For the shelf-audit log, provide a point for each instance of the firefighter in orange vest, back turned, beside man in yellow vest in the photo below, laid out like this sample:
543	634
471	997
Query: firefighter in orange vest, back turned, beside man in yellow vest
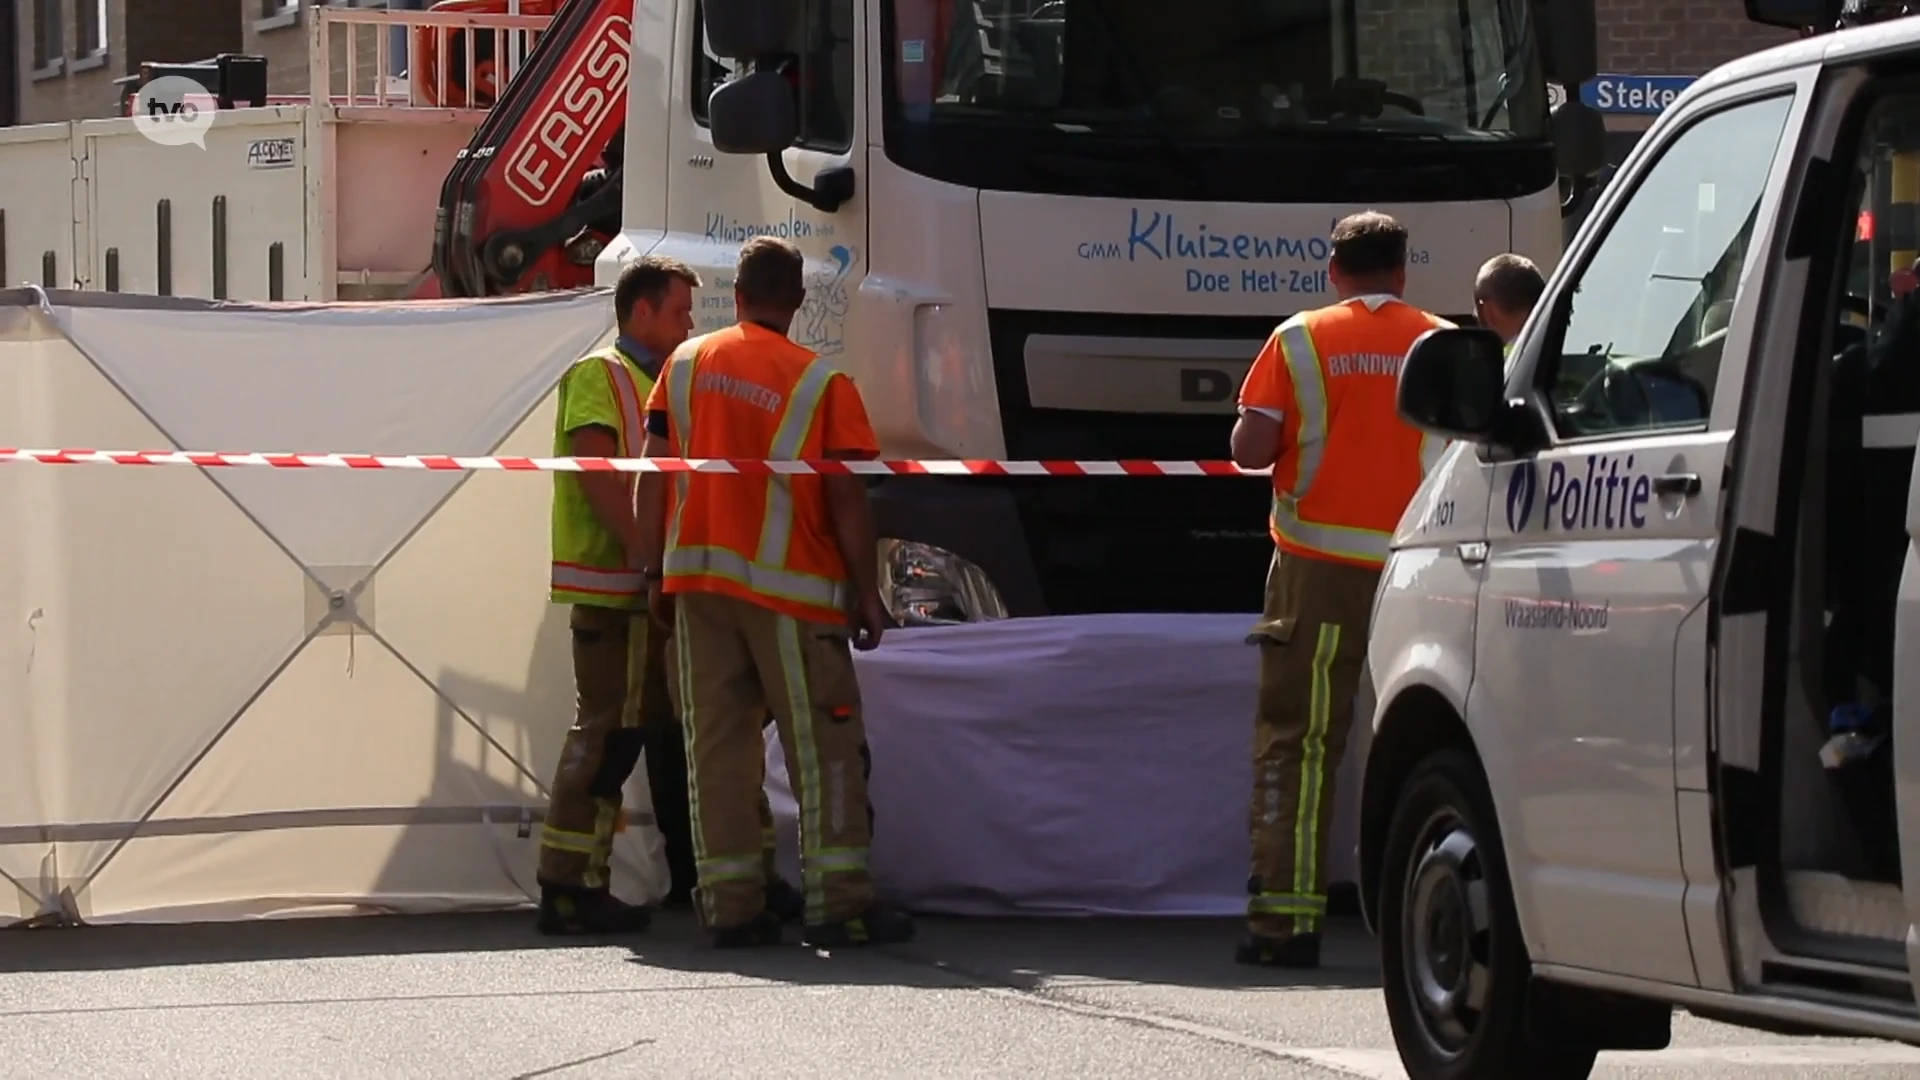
769	583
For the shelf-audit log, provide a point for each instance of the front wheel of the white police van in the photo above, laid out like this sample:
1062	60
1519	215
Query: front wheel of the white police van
1452	960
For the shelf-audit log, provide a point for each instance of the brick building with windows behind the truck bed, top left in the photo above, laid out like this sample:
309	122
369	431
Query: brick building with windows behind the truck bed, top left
66	55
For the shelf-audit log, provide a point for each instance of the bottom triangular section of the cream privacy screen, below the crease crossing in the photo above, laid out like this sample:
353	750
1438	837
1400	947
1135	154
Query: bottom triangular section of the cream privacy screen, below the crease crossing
352	747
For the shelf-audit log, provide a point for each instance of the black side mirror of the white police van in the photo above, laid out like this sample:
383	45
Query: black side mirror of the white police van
1454	385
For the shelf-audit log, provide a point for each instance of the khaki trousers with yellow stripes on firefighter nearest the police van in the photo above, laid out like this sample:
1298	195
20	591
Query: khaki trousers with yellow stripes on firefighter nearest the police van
1312	645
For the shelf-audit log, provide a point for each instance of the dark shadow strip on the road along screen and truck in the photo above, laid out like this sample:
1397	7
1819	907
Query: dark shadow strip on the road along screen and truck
1019	954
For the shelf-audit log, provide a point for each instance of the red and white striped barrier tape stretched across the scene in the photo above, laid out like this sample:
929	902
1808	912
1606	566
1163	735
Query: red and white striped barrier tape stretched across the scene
454	464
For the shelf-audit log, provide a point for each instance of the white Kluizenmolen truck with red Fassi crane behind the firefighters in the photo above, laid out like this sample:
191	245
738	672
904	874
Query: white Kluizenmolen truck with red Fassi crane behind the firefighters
1040	230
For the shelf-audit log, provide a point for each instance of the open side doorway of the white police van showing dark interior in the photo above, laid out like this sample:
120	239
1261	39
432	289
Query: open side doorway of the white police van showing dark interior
1804	637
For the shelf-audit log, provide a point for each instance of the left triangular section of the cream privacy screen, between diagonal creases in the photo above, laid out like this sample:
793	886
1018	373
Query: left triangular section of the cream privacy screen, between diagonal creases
126	564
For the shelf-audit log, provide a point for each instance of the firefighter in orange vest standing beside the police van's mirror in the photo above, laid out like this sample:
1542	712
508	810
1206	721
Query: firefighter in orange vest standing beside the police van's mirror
1318	406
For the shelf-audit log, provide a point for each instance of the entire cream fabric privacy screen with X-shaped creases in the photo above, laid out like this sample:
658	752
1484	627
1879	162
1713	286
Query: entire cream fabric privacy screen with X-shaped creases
362	716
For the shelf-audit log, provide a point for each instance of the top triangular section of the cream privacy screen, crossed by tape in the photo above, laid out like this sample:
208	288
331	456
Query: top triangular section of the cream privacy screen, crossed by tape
391	378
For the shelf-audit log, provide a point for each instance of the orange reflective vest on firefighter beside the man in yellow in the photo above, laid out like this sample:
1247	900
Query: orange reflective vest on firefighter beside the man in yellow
752	393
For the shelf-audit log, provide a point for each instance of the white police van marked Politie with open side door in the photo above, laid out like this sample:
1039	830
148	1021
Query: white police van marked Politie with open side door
1664	566
